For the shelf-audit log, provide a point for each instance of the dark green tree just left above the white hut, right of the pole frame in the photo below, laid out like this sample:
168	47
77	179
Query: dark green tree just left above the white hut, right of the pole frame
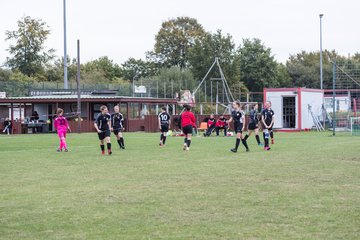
257	65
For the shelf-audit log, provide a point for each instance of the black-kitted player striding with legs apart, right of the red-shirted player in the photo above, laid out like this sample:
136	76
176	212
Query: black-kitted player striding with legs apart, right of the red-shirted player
238	116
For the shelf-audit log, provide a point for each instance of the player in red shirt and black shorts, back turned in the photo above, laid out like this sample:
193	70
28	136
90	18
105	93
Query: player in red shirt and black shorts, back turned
187	124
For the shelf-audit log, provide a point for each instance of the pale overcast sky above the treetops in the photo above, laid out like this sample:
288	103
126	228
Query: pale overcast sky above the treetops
122	29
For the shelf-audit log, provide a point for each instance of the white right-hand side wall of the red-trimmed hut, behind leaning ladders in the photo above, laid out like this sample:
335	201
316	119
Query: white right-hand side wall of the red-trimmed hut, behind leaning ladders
315	100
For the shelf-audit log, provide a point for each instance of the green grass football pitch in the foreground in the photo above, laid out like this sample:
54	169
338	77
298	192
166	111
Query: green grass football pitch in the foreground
306	187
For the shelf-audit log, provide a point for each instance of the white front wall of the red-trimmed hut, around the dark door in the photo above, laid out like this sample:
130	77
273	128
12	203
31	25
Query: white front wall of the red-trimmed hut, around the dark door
276	99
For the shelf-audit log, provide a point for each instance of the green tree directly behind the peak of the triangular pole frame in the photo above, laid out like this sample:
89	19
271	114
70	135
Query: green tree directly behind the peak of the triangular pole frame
204	52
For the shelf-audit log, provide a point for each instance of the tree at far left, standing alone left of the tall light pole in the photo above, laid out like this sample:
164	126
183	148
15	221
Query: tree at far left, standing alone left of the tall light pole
28	53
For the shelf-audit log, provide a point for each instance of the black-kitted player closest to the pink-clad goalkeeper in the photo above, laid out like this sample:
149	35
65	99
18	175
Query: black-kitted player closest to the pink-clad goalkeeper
103	125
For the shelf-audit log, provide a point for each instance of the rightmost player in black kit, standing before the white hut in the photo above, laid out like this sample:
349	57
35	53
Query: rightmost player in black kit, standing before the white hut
267	118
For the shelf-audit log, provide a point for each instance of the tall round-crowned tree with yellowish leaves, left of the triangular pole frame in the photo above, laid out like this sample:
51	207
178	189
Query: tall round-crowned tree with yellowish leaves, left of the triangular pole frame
174	40
